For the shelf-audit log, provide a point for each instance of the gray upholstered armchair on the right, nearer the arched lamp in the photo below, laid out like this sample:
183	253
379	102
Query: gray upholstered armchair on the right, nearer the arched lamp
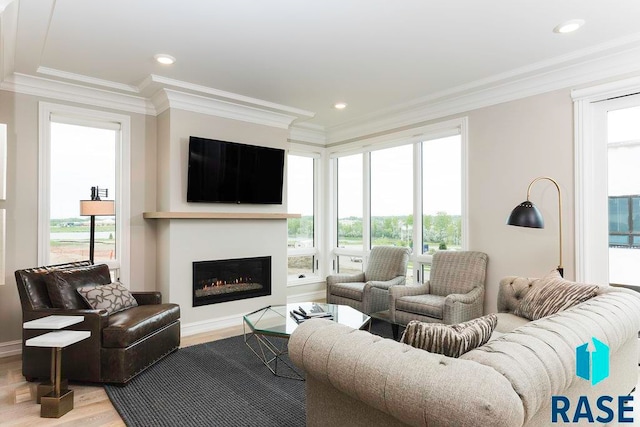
453	294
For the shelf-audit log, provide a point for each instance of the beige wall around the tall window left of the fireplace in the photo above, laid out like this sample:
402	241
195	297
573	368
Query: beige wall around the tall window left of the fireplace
20	113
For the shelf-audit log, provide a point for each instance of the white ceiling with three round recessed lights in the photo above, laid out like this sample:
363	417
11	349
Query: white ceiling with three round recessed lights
375	55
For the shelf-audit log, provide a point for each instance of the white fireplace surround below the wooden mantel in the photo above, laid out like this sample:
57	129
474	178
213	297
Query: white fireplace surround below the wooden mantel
183	241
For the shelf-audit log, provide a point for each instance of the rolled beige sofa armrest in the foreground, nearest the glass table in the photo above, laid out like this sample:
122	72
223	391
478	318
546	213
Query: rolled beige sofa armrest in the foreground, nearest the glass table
411	385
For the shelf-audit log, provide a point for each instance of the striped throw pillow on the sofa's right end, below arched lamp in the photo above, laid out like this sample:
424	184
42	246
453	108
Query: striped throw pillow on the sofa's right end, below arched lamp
552	294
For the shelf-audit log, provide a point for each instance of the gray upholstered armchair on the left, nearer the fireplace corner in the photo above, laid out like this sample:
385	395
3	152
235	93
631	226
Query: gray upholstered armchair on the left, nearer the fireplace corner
368	291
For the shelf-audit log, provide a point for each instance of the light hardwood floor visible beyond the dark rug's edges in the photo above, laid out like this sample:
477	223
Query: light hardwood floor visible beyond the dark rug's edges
91	407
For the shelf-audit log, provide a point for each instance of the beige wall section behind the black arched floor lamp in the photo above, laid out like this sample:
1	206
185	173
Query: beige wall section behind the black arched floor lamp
510	144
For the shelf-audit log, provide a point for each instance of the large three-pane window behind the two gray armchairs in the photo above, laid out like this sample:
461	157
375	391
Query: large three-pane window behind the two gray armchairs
382	190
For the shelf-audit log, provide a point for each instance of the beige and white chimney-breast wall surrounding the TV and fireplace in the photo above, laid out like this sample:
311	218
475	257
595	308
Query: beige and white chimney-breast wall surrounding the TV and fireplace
181	242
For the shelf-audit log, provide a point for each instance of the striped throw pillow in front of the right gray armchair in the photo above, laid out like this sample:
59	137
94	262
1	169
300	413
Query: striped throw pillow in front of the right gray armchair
450	340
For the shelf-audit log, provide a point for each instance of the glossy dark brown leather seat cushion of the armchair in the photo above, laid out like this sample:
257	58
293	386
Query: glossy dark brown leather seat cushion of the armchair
130	325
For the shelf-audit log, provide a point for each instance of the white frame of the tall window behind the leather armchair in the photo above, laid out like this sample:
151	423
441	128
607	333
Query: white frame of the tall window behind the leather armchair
48	113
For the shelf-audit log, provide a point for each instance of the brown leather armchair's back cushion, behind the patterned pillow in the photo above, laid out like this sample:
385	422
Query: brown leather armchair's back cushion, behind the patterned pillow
62	285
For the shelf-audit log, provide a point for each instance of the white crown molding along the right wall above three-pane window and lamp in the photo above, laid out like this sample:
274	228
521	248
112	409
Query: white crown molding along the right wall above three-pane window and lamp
598	63
